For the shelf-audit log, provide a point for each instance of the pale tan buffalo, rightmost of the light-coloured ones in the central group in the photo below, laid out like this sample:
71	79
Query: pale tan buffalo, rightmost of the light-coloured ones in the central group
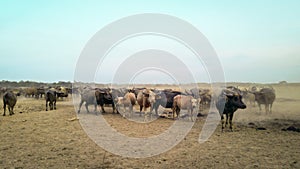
184	102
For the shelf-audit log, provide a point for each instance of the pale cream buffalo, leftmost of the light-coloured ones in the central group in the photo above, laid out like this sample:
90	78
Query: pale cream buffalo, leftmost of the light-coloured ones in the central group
127	101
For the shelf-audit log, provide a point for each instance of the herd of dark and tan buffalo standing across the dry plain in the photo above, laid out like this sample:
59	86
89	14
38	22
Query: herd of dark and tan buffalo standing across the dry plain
227	100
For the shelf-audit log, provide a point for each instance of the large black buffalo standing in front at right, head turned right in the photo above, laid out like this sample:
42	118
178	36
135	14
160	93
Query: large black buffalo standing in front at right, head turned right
228	102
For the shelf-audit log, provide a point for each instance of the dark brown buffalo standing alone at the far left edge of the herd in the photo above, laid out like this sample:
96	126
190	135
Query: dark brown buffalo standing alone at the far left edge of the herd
9	99
